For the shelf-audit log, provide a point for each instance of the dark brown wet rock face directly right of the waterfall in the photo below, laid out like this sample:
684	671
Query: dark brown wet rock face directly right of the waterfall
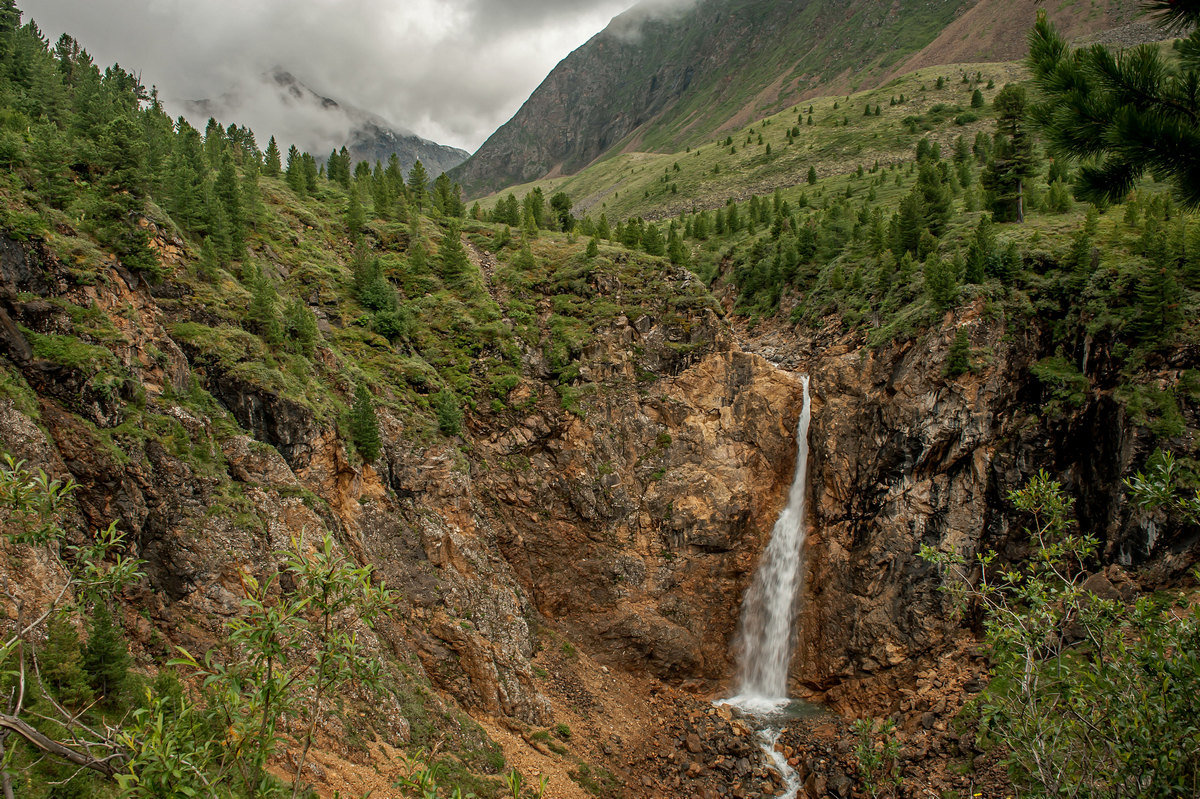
903	456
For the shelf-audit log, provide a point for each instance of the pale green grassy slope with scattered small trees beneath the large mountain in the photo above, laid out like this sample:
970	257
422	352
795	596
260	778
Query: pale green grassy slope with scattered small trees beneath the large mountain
841	139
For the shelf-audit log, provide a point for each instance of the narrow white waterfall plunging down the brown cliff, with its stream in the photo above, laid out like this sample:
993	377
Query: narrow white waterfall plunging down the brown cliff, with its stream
767	630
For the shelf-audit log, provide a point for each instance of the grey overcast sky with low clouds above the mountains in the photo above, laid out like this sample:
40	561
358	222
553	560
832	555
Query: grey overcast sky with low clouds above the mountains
449	70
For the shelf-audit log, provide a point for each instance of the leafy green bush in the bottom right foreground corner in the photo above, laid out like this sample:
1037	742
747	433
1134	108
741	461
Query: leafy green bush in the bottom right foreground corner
1090	696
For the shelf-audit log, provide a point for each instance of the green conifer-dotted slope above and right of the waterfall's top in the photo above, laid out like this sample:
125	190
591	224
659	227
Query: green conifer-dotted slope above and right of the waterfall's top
879	219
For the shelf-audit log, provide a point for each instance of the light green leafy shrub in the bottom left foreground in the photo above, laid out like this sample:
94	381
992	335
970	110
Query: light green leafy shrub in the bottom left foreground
293	654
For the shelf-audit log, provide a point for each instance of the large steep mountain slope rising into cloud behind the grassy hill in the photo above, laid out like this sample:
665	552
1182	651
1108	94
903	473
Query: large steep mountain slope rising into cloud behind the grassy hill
661	81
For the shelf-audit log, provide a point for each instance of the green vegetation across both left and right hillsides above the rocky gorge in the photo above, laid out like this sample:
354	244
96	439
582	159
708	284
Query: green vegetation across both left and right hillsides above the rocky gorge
349	290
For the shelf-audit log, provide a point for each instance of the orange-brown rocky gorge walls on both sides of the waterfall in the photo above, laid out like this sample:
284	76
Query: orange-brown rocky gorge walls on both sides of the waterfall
559	564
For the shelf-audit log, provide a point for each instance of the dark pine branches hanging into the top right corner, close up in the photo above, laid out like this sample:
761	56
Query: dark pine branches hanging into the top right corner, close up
1124	113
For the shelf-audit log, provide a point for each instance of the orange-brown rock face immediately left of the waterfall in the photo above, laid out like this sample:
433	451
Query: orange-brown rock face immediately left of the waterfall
638	526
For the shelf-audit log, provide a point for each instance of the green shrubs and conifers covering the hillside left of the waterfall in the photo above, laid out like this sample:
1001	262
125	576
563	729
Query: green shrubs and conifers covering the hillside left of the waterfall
340	290
